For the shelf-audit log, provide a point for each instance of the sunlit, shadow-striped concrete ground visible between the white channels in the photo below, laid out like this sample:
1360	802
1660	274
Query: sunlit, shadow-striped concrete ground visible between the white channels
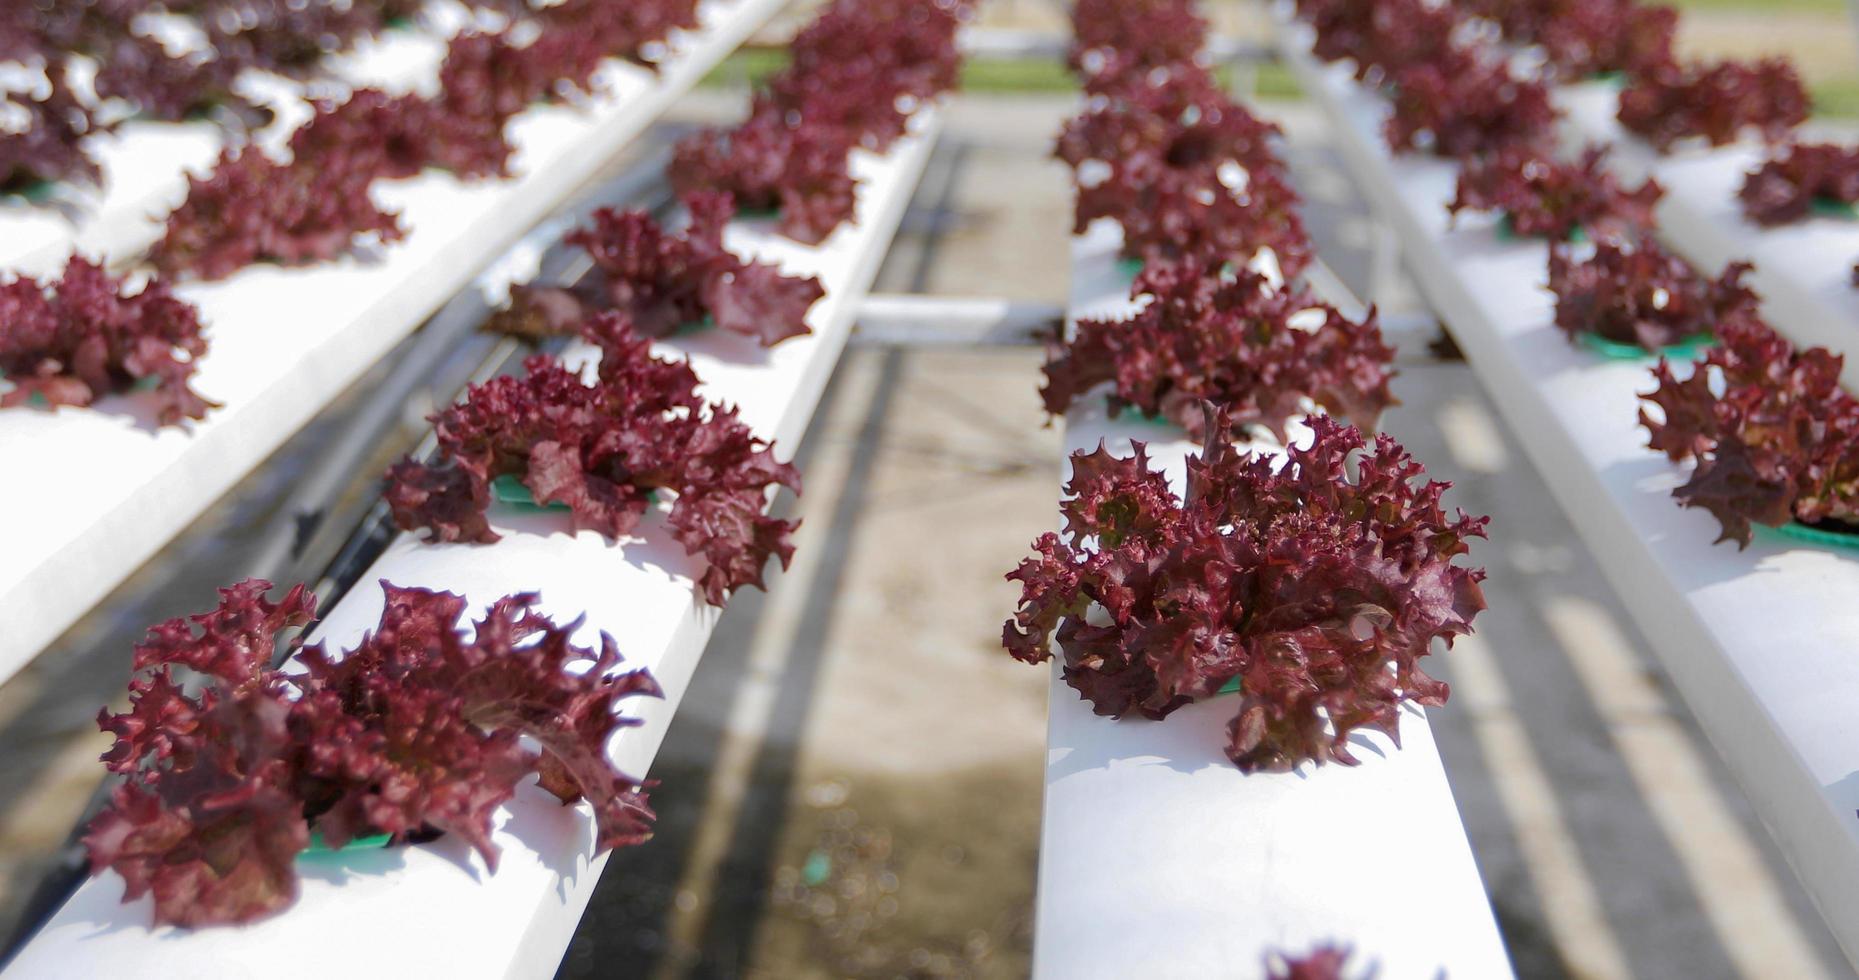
854	784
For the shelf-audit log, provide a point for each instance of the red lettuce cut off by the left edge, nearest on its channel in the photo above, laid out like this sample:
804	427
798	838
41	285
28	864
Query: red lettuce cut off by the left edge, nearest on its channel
86	336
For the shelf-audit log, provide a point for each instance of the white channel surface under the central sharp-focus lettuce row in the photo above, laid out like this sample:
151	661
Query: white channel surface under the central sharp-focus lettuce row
1159	858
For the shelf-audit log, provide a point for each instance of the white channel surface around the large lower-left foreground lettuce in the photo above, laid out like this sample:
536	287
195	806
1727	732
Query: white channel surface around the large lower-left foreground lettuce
434	910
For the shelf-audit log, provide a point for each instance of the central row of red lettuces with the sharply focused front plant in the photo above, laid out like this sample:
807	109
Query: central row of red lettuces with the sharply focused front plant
1308	574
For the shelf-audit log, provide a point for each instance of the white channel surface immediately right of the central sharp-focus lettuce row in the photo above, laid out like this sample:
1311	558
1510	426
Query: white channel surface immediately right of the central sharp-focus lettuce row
1760	642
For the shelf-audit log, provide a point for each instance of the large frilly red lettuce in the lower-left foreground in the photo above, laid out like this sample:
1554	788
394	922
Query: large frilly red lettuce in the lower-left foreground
415	732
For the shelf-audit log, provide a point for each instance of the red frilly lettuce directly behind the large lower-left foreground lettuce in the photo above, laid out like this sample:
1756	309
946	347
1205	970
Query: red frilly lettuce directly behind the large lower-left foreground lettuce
601	449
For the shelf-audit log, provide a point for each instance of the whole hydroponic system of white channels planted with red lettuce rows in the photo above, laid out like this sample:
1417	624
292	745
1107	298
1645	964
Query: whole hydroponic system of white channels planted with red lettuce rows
218	224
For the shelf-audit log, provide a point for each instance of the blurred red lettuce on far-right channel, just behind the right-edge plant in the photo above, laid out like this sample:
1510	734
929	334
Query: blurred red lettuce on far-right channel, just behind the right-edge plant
1715	103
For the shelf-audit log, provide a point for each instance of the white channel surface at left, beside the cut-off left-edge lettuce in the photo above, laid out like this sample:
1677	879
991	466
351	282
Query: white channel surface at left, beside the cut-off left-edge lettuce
94	494
